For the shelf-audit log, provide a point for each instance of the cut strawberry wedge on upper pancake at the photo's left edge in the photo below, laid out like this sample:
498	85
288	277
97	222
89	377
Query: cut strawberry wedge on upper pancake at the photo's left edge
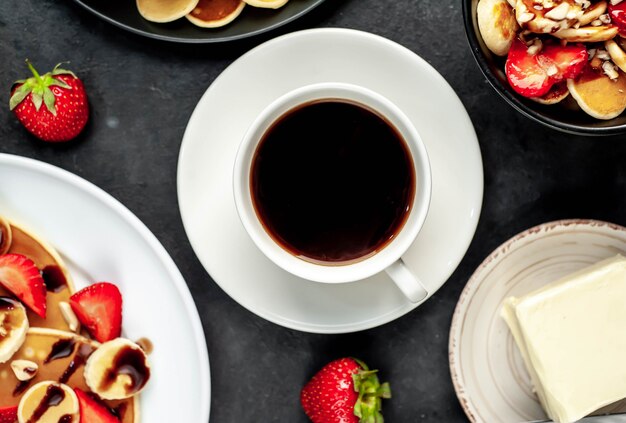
22	278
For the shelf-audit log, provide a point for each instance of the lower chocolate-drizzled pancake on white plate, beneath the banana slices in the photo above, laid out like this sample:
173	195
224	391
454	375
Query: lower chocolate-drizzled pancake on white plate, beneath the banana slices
60	357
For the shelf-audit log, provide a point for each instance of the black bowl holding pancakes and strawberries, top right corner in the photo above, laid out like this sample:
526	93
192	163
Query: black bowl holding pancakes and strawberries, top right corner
565	116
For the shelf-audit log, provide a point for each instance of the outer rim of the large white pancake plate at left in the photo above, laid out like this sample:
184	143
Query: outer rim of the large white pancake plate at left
174	274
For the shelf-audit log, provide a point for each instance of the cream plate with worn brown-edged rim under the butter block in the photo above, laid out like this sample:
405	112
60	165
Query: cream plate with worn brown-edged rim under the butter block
488	373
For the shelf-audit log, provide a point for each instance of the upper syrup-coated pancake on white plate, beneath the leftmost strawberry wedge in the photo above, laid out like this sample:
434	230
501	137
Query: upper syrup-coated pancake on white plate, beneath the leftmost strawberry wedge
58	280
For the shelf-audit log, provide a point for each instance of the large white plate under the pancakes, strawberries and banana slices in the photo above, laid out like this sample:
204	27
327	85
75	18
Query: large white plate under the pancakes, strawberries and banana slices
101	240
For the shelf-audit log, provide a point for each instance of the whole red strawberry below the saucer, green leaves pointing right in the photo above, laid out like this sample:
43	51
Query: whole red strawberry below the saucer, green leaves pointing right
344	391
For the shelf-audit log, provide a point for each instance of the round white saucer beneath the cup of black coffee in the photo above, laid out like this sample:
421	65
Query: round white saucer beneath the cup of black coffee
239	94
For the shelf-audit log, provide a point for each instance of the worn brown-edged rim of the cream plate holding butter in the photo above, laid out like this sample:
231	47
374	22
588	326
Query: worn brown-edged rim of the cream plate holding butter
474	282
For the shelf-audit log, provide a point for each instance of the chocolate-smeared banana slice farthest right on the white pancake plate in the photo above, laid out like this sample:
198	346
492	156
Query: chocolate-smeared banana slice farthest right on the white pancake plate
118	369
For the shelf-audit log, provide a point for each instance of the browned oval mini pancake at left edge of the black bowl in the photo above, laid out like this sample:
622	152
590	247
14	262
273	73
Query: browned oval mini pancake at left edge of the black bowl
497	25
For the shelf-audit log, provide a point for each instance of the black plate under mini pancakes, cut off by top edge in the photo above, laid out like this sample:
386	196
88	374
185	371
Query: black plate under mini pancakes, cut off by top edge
252	21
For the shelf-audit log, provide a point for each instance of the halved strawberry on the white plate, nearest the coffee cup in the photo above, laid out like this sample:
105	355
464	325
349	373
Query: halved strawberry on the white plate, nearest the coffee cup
99	309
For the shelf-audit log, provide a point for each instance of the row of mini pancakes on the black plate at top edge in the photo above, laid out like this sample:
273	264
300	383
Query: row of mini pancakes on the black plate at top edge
204	13
